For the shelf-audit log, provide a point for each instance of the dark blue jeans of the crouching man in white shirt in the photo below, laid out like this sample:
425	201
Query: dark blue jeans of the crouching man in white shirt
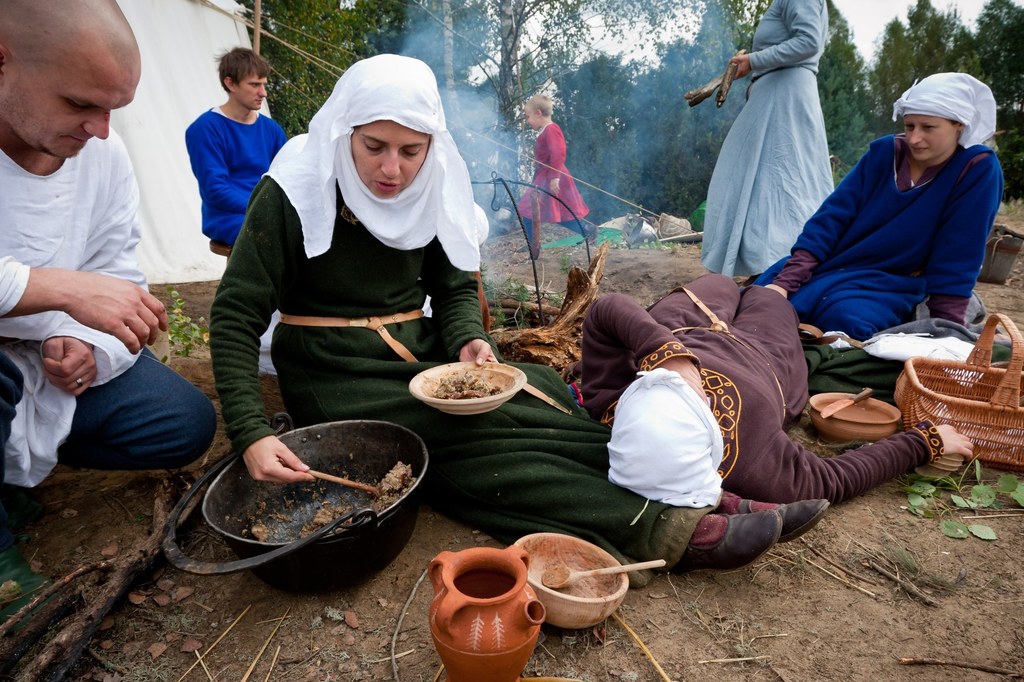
148	418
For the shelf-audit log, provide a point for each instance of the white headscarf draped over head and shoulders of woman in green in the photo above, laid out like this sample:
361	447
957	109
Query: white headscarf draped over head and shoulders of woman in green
439	202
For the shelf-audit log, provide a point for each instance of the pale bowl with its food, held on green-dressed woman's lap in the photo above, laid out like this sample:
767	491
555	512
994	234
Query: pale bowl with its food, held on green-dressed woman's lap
467	389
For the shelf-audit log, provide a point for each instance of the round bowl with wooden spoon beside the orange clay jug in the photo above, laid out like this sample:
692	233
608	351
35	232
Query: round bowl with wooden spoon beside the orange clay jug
589	601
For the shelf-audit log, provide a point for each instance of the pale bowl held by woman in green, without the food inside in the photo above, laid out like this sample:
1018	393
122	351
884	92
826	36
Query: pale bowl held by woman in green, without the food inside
509	379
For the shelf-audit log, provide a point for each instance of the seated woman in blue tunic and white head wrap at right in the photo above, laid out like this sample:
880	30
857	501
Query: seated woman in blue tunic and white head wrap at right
909	224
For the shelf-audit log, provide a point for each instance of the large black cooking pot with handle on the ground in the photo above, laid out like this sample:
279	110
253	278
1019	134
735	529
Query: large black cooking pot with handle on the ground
349	550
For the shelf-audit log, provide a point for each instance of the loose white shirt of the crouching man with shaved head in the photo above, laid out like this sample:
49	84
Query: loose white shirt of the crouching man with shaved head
82	218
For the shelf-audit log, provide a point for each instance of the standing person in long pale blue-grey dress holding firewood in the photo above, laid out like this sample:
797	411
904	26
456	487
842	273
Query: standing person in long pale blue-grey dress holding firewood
774	170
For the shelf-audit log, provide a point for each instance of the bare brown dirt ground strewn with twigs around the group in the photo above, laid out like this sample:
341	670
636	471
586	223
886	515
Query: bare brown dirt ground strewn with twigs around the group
813	610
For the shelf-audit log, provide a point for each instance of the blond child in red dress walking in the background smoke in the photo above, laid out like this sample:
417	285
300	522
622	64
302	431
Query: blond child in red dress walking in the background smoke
551	175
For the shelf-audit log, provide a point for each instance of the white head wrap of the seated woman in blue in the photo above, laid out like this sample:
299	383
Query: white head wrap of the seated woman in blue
960	98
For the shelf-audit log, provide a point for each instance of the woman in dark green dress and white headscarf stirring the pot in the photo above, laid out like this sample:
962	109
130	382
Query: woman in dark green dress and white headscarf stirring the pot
374	215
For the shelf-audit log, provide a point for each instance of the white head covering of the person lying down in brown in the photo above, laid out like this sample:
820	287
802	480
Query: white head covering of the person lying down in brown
666	444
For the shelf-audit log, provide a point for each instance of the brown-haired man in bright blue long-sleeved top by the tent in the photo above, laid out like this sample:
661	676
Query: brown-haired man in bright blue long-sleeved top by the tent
232	146
